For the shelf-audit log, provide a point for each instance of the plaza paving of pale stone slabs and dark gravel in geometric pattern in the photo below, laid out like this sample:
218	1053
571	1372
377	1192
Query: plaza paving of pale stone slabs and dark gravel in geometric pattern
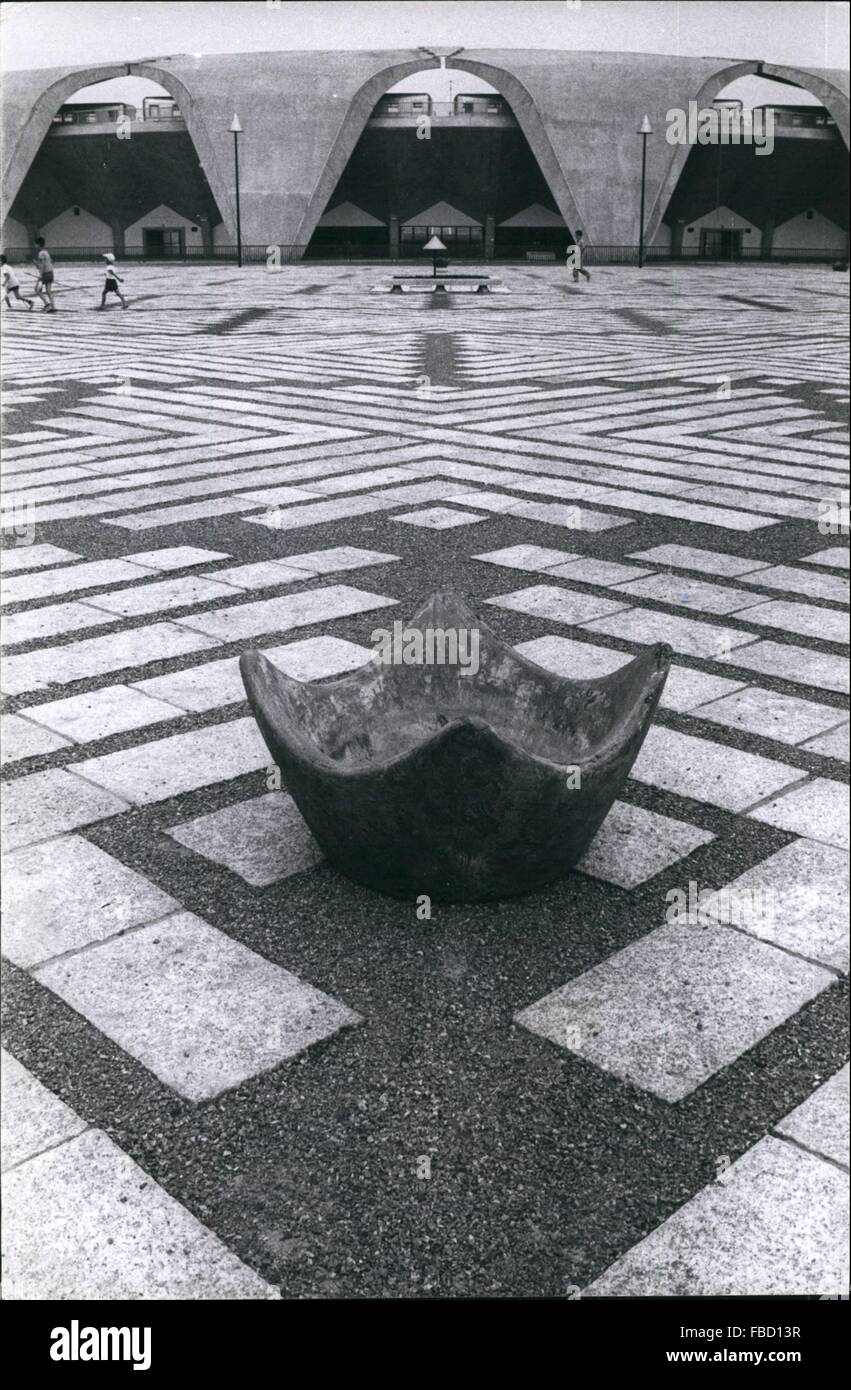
232	1072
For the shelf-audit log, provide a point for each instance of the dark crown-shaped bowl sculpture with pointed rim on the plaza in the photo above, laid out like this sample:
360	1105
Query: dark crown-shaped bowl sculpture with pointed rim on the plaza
450	765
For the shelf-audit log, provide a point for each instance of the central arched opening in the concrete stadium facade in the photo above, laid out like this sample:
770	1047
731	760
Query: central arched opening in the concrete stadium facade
441	155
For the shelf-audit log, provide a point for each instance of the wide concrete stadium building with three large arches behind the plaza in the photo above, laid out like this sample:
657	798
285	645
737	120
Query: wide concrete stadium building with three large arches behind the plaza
329	161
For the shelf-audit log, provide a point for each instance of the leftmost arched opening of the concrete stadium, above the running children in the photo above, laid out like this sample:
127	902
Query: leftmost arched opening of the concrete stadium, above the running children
117	170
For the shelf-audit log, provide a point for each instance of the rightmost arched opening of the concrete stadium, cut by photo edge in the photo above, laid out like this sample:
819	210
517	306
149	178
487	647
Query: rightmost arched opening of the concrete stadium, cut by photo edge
770	184
